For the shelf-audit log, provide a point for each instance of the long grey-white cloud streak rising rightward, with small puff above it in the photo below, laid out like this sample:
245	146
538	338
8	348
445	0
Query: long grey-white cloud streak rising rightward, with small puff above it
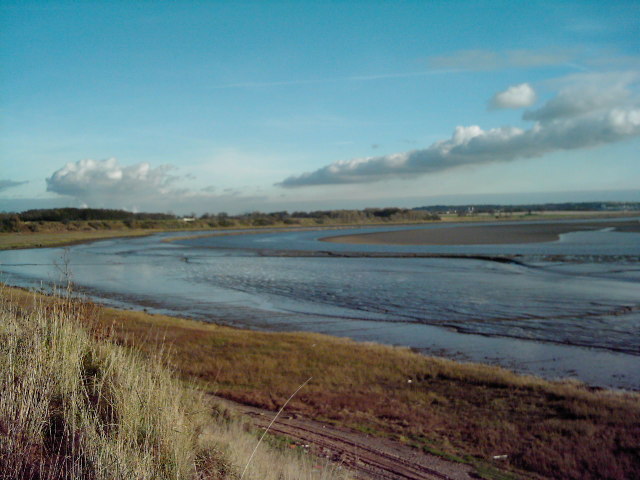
578	117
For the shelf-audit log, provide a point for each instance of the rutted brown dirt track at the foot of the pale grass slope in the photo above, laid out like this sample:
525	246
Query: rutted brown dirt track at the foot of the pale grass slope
367	456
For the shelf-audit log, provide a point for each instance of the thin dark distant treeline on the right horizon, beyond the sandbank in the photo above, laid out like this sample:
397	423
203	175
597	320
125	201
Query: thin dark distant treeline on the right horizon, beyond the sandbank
534	207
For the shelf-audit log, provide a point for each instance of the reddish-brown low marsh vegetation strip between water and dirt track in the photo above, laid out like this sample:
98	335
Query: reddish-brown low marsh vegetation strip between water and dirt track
465	411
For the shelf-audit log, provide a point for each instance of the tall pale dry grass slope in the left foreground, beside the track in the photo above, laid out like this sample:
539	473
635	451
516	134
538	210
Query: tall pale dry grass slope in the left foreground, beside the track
73	405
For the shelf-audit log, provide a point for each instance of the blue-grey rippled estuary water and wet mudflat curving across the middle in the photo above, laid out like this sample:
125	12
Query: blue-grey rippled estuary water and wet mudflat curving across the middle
579	317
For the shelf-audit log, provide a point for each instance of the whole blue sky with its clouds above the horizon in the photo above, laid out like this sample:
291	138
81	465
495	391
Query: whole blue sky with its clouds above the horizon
241	106
